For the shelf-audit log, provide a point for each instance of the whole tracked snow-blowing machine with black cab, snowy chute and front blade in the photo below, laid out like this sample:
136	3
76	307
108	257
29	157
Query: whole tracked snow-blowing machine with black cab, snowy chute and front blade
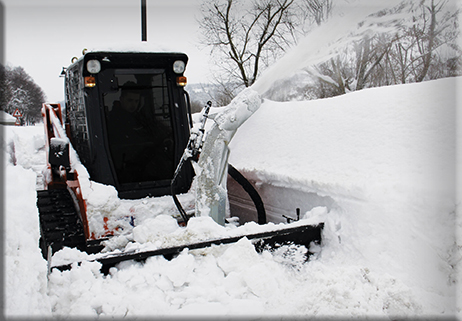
127	123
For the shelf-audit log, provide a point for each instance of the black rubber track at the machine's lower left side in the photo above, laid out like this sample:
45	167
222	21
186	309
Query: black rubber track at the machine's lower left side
60	223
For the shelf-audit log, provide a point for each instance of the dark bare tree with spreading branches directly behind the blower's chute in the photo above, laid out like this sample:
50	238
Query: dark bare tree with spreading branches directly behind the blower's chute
249	36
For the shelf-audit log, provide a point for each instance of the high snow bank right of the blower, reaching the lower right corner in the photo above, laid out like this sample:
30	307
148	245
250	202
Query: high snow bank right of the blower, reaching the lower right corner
387	156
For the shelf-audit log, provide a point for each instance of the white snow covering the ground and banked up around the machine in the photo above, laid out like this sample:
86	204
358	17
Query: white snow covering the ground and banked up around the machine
386	156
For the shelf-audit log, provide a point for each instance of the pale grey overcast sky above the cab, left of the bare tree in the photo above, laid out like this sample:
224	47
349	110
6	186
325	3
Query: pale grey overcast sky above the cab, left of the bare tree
43	35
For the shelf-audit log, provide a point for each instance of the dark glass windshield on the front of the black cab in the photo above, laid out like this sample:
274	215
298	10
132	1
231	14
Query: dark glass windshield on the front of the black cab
139	127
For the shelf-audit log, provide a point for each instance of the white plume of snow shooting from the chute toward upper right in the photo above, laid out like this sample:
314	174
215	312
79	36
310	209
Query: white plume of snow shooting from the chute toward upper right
350	20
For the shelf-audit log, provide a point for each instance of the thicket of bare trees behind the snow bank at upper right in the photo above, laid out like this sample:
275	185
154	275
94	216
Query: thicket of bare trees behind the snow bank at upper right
422	46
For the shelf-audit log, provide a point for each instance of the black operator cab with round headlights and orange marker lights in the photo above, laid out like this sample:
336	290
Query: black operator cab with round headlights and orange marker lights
128	118
